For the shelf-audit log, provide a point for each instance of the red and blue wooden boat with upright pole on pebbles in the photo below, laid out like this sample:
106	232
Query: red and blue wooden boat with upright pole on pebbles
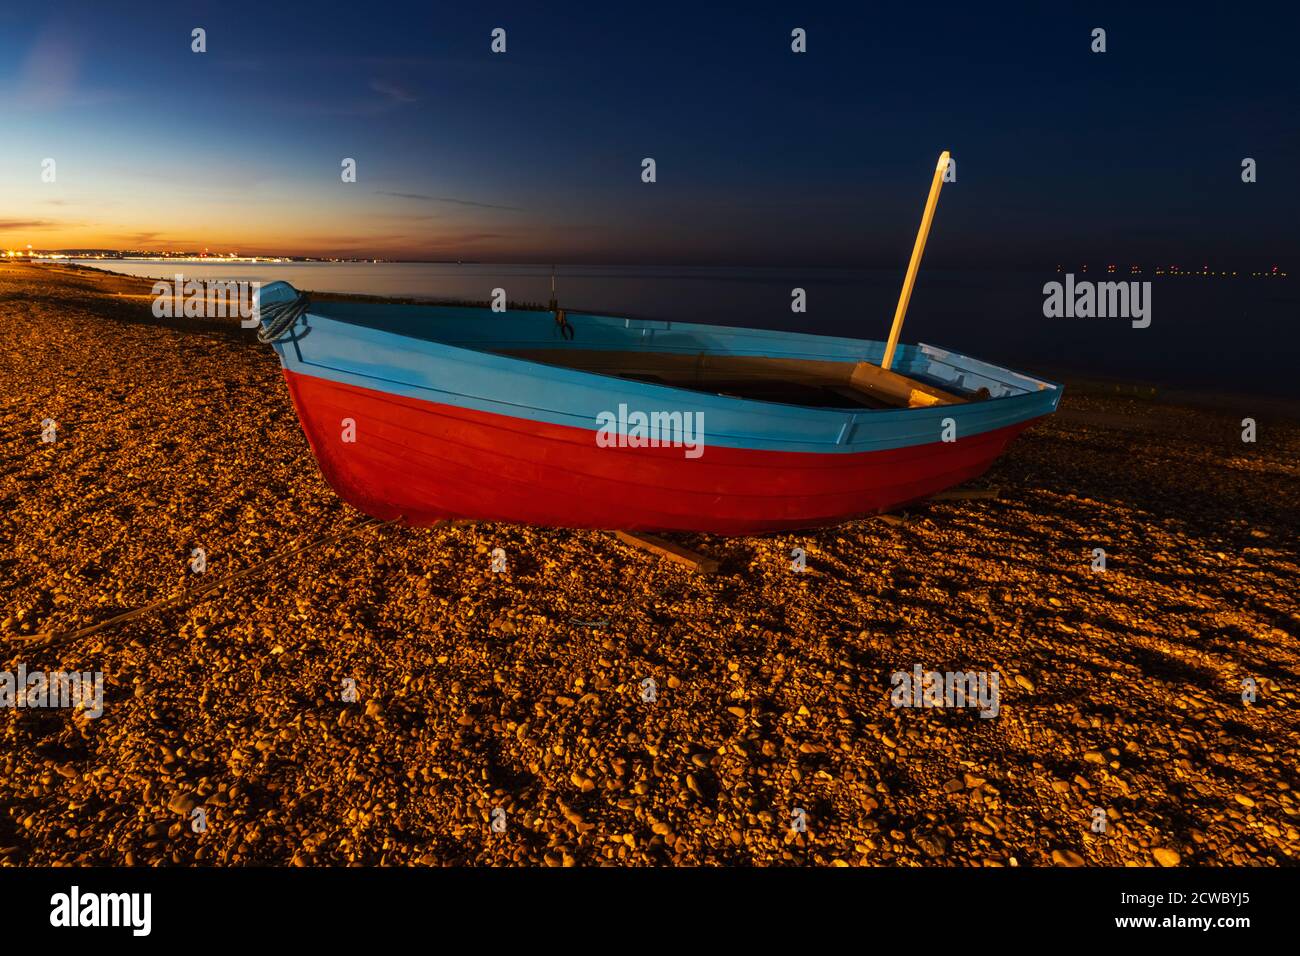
423	414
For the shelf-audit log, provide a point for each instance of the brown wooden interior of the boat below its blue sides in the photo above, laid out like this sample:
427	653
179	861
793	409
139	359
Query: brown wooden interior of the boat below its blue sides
820	384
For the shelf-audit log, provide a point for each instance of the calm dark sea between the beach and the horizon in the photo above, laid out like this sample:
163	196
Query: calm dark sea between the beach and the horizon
1234	335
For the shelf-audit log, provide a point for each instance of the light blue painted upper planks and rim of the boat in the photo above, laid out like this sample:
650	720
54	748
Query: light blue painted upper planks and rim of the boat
447	356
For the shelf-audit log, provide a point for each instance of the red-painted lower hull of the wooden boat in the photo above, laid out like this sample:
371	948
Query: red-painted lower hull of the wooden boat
424	462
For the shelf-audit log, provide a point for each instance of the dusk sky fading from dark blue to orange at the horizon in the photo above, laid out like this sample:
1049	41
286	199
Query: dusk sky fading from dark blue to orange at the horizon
764	157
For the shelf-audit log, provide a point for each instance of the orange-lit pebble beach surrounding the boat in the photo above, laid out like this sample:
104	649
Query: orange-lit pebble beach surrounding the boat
378	695
